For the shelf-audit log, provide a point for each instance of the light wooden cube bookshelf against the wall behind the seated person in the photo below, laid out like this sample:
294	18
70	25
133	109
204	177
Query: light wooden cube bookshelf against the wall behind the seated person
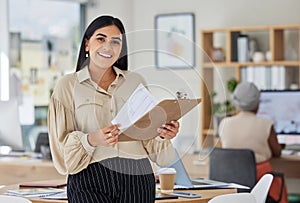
282	41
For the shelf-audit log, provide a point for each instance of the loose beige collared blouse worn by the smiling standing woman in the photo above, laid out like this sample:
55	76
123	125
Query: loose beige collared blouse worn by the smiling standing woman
79	106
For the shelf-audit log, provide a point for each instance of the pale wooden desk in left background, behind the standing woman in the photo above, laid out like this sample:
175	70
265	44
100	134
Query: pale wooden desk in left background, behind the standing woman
16	170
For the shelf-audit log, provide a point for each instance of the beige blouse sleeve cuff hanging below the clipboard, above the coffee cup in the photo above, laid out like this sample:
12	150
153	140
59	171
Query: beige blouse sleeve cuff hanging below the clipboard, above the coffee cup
161	151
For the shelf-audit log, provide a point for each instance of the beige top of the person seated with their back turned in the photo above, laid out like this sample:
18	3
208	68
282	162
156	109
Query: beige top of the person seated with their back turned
246	130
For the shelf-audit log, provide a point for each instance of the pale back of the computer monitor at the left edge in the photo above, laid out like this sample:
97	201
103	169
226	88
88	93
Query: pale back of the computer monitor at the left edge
10	128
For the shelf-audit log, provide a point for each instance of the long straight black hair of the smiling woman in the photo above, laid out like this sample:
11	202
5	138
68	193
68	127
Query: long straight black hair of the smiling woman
99	22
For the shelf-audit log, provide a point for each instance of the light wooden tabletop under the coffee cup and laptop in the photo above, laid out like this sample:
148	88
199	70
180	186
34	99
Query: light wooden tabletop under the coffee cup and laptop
206	194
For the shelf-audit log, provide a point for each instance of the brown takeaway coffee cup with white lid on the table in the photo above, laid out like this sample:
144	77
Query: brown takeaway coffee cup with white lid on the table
166	179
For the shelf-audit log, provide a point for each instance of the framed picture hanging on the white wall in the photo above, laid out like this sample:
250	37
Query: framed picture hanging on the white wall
175	40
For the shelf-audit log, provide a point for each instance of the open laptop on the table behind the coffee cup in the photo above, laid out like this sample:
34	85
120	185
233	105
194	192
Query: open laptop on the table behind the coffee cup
183	181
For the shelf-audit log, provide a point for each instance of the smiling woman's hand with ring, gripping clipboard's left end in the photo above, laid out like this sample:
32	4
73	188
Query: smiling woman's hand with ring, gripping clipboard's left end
107	136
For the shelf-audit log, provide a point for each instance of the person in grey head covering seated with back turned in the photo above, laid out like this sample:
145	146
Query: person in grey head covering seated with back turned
246	130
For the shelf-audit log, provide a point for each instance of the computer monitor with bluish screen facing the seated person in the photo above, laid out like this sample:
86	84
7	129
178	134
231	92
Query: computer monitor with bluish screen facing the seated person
283	107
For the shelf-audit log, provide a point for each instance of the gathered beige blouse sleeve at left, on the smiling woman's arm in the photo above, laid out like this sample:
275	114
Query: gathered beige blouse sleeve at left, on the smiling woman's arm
70	149
